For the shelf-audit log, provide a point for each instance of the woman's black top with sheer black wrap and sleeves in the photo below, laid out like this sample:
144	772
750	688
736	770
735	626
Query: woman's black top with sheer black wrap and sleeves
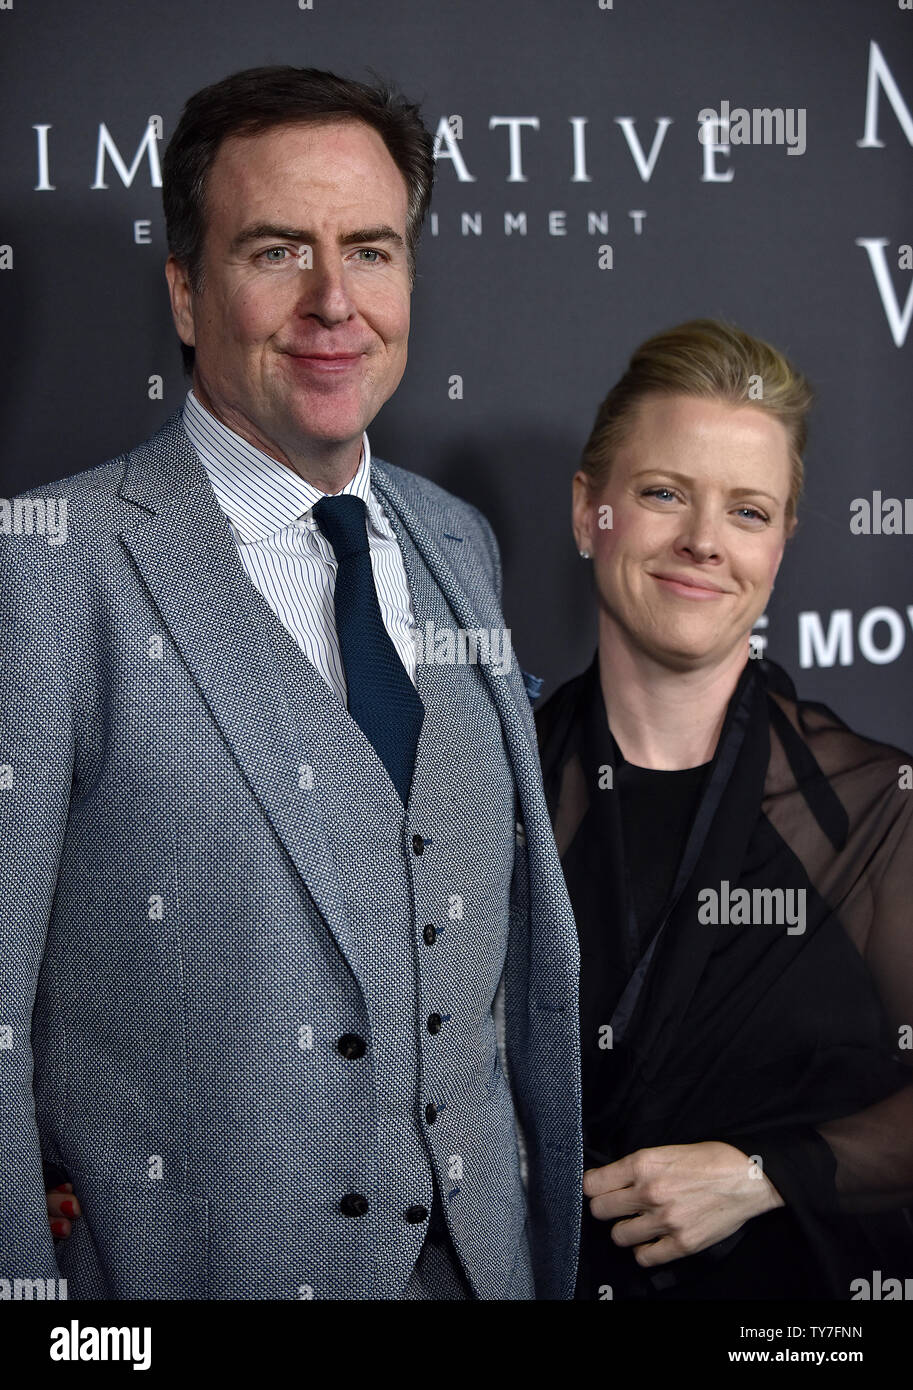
757	989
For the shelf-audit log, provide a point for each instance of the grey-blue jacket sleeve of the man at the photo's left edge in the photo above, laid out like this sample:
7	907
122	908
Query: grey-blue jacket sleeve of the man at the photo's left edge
35	783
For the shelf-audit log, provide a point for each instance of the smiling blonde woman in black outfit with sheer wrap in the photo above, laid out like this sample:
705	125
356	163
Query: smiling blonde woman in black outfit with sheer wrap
740	865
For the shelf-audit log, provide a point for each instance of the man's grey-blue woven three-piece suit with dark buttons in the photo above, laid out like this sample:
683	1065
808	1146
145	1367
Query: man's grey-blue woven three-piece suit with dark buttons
224	938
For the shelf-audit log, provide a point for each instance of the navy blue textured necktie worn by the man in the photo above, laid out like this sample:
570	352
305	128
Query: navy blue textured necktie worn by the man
383	700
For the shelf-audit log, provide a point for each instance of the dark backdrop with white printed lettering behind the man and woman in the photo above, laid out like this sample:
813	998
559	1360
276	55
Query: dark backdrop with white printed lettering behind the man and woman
605	170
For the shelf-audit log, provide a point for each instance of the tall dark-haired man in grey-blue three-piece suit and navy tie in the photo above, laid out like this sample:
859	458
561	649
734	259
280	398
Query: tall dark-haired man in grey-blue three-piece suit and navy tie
269	857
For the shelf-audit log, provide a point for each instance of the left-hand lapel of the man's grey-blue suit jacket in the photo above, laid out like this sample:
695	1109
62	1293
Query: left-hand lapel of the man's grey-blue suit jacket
187	557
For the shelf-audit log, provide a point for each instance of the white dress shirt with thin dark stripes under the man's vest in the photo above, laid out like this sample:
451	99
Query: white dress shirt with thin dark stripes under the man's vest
284	551
